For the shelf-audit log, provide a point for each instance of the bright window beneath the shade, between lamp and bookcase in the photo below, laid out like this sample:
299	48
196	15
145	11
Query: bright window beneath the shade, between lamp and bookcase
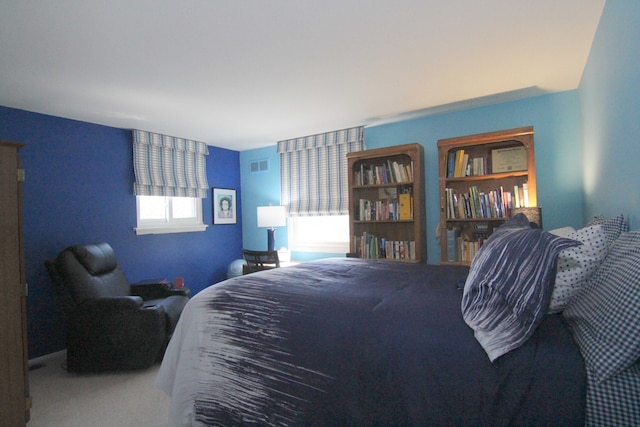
328	234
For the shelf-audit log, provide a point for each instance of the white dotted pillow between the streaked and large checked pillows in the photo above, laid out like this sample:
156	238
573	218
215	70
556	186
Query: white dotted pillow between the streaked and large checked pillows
577	264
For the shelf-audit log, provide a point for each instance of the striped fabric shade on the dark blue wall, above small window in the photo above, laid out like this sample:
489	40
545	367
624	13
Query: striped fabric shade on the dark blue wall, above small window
169	166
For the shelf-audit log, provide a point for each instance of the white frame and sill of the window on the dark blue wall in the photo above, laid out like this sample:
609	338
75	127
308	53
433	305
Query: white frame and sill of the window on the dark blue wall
169	224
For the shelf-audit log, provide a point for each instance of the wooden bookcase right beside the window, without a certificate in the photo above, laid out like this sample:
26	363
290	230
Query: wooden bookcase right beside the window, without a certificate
386	203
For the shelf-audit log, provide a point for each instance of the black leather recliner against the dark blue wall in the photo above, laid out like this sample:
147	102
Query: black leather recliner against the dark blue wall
110	324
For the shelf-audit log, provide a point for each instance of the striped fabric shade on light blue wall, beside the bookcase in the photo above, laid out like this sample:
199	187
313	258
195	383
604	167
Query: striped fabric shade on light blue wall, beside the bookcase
313	172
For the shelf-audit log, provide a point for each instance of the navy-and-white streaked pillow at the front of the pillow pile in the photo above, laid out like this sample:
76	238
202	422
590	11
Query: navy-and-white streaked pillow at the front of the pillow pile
507	292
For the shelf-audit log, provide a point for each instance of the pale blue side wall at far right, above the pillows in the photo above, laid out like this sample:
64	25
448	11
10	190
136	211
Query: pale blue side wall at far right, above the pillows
610	105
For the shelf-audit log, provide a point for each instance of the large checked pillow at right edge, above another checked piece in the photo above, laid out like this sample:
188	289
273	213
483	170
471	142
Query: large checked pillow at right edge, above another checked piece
604	315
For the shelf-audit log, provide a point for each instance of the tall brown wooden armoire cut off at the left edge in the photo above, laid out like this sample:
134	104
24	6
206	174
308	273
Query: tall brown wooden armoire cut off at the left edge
15	403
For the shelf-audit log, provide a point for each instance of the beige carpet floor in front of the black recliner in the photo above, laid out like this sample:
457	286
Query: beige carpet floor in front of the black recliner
61	399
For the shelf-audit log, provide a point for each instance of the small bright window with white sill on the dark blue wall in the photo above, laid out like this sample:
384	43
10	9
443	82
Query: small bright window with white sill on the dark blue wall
160	214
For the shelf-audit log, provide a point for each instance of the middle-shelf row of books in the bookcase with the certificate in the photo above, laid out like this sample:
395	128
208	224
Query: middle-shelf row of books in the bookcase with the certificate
475	203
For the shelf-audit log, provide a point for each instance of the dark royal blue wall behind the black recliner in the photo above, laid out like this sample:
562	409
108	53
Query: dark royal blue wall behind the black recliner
79	189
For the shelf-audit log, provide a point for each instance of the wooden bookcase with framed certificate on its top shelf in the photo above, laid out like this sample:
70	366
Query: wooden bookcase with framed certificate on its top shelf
482	177
